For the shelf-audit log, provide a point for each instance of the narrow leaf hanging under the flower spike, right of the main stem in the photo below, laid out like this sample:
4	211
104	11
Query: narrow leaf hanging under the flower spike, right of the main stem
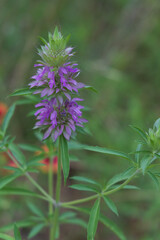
64	157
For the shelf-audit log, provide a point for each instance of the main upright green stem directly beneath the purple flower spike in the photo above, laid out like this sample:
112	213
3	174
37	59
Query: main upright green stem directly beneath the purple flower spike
58	190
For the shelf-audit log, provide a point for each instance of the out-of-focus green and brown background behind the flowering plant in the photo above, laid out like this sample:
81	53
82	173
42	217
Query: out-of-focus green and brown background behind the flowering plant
117	48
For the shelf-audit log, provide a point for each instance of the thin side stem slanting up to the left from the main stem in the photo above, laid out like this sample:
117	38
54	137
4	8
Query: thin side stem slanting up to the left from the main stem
50	199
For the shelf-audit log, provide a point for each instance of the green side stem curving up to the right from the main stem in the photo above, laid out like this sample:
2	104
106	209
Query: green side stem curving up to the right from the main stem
79	201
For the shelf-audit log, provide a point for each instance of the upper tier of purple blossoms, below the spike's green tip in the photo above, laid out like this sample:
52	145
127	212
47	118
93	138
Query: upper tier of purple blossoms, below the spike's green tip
49	81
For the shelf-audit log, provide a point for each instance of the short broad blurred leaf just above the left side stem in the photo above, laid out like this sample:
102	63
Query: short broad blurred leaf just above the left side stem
19	156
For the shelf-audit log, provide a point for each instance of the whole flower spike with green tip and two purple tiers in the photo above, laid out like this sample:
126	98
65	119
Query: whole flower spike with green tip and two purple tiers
54	80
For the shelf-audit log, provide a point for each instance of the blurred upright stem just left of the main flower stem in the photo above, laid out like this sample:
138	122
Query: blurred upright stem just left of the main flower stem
50	189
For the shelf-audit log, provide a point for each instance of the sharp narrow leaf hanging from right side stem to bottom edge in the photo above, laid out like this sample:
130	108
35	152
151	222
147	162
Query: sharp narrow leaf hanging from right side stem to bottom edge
93	220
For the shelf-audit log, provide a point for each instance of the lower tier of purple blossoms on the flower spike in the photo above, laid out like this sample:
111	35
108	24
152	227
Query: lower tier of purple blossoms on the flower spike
59	117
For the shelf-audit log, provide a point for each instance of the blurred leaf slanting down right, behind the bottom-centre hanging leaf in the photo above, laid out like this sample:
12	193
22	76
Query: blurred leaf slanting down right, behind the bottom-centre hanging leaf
107	222
